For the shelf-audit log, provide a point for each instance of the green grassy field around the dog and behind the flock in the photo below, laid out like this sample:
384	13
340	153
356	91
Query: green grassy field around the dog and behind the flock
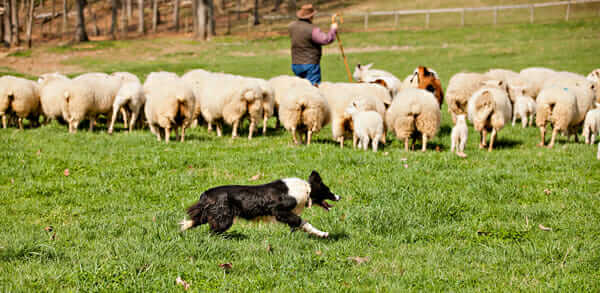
423	221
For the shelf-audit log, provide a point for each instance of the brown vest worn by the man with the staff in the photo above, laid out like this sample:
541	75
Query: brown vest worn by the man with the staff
304	50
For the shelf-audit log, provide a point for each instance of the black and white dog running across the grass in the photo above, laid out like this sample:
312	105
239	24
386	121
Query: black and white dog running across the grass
283	199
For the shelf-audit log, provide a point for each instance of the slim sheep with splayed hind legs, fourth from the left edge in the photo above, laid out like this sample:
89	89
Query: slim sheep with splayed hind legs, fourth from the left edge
130	96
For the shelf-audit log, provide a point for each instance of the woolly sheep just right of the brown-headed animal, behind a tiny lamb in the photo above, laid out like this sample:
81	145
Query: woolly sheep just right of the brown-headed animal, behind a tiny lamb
460	89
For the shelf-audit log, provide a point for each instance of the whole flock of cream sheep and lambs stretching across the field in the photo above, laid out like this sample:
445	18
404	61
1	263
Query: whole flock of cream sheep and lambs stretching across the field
365	111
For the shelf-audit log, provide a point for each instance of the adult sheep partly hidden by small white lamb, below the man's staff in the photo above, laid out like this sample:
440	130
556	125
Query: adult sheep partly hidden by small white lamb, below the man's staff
340	95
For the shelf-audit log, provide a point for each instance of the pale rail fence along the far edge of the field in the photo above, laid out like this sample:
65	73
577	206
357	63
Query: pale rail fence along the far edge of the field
427	12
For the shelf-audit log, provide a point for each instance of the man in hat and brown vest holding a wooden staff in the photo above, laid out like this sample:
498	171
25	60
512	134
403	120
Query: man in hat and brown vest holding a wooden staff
307	40
